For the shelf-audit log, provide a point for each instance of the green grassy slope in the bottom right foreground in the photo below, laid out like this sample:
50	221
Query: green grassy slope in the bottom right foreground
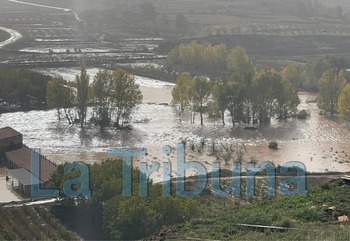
311	218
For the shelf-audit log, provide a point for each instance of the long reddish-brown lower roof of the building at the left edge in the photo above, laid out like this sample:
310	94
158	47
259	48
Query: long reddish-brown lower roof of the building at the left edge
22	157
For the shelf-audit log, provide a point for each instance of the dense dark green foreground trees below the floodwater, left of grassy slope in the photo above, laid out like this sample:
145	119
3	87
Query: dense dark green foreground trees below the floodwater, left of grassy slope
125	218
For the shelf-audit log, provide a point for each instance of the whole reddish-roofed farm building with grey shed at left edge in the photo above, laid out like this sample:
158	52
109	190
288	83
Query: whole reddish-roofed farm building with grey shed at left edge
19	157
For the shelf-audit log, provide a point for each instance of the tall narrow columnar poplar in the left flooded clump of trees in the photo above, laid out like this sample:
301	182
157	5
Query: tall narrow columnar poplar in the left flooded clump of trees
82	83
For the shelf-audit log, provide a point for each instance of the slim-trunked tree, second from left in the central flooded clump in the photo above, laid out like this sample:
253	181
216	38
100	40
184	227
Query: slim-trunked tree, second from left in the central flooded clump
201	92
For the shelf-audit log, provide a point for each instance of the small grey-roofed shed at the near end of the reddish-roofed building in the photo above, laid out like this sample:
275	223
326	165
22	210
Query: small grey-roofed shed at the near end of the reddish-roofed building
24	180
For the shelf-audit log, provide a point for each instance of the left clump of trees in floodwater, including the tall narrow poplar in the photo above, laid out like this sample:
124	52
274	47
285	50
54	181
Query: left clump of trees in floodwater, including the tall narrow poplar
112	94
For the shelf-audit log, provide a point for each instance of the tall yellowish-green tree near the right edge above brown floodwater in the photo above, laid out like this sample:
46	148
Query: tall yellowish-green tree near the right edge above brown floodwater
330	85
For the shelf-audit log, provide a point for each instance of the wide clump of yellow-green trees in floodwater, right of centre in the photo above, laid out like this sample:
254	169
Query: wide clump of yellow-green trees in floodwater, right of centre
250	94
